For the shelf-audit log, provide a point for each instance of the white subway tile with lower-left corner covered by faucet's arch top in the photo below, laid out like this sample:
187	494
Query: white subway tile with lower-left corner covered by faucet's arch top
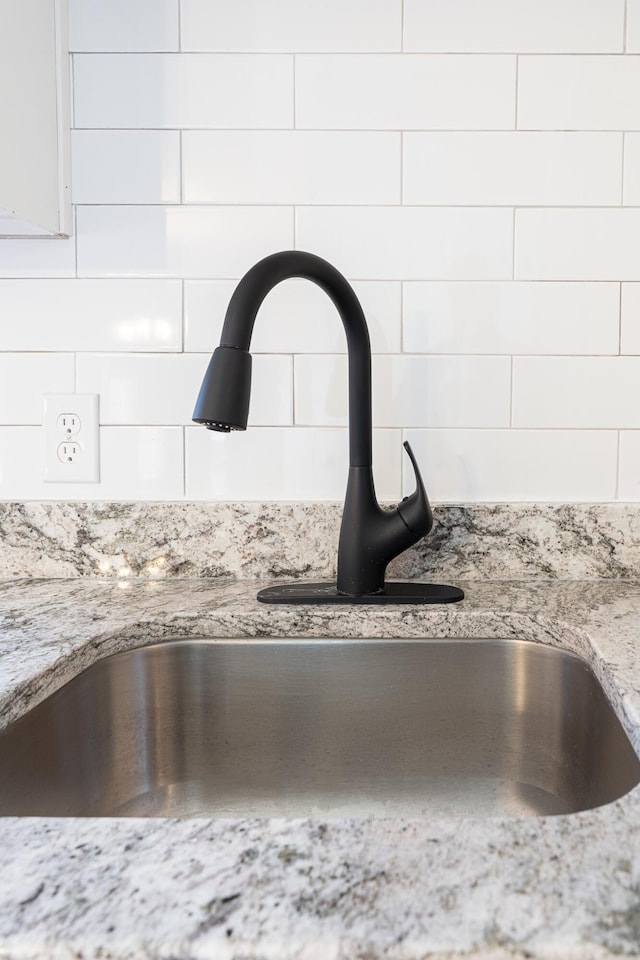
410	243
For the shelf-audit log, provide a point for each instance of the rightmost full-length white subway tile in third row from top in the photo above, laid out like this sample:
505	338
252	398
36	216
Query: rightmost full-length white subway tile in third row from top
513	168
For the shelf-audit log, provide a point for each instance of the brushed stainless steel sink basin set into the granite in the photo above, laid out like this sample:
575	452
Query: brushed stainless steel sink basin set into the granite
328	728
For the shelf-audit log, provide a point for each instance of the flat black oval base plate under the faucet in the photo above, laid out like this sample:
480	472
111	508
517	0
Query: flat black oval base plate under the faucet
394	592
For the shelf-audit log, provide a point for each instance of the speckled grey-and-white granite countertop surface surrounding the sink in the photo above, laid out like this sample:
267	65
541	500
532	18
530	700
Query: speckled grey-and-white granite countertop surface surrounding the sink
565	886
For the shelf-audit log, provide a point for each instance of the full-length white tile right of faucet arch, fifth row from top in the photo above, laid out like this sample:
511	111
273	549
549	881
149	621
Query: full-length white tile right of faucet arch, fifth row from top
511	317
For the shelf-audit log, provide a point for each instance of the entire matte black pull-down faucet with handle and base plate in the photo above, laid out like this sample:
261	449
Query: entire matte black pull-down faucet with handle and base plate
370	537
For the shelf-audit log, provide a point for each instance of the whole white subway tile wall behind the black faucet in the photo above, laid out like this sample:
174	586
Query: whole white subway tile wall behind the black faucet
472	166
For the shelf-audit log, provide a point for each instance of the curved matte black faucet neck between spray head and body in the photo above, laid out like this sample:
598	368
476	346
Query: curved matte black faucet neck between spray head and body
244	306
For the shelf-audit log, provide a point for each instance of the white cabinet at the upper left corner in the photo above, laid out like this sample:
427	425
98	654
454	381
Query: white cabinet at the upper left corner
34	119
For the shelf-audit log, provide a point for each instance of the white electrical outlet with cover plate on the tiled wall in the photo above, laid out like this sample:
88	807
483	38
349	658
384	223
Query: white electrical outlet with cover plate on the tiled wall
71	438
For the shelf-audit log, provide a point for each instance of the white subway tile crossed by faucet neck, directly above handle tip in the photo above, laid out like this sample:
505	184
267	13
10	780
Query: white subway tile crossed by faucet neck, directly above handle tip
408	391
